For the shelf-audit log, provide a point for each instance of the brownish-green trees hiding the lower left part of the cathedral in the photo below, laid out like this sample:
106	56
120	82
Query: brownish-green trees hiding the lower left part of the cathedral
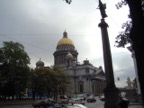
48	80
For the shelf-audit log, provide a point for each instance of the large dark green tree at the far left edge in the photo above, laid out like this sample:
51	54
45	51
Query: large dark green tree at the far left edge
14	69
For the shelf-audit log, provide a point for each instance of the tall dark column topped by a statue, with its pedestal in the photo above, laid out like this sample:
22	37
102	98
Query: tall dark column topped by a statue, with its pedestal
111	92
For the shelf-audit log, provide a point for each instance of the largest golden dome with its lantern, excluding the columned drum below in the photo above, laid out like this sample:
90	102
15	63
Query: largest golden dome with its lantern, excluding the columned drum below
65	40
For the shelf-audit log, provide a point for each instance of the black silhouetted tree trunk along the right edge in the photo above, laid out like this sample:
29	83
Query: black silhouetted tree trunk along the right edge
136	36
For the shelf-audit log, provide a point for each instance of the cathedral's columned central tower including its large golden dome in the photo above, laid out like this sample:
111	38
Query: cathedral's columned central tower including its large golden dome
65	49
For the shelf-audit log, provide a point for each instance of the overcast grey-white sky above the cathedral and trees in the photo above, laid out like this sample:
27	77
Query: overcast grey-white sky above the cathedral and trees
39	25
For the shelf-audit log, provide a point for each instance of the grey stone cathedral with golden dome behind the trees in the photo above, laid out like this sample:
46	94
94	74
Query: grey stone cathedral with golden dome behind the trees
84	77
